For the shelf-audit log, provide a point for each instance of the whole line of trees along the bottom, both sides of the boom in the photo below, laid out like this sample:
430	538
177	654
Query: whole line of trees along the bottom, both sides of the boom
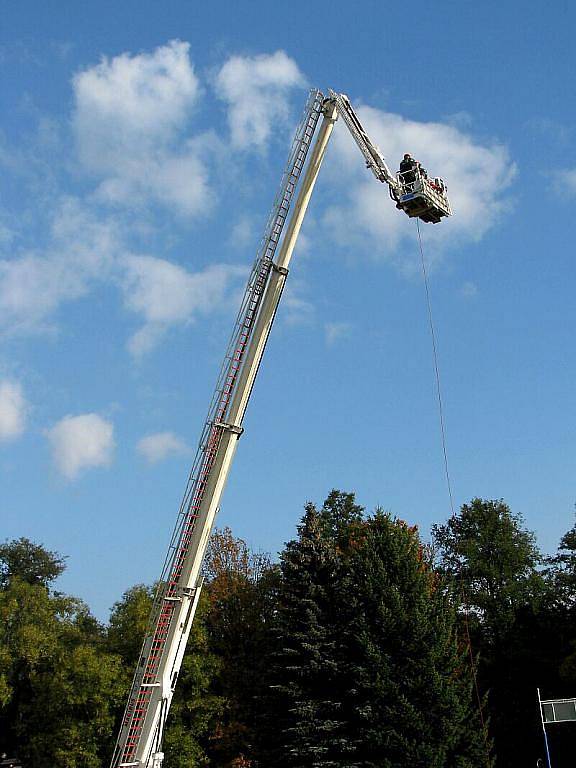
352	652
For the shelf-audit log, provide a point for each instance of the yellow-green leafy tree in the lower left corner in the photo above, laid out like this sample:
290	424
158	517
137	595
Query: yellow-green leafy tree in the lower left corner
59	686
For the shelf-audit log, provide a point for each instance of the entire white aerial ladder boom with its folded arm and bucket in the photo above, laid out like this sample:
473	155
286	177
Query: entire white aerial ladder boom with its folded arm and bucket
139	742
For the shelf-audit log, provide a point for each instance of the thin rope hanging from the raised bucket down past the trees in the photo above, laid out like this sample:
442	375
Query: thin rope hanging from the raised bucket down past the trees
449	486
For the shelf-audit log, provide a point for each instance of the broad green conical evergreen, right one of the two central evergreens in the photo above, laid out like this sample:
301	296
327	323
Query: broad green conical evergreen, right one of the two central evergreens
410	698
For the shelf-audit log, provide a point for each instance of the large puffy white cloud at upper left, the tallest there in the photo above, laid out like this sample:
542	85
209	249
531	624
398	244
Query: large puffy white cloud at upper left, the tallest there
130	118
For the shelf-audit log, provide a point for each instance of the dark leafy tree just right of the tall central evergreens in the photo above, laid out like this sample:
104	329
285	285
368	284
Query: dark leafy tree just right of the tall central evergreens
494	561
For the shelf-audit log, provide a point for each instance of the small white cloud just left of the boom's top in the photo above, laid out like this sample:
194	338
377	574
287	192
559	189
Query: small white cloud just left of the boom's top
256	90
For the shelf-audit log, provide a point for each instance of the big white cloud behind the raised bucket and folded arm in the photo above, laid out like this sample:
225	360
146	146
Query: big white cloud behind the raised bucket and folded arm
478	177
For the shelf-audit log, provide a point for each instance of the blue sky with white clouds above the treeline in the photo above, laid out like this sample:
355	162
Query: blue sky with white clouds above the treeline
141	145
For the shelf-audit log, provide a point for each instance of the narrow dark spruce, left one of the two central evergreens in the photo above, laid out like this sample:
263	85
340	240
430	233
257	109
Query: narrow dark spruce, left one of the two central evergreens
304	707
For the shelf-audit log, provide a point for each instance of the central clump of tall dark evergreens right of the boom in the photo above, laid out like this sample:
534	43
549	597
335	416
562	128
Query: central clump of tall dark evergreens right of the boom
367	668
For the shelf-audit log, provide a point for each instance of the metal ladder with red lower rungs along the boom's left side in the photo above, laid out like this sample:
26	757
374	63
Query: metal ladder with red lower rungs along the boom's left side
146	677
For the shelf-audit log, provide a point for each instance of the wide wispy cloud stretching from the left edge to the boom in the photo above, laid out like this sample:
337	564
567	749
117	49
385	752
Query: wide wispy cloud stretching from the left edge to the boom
86	251
